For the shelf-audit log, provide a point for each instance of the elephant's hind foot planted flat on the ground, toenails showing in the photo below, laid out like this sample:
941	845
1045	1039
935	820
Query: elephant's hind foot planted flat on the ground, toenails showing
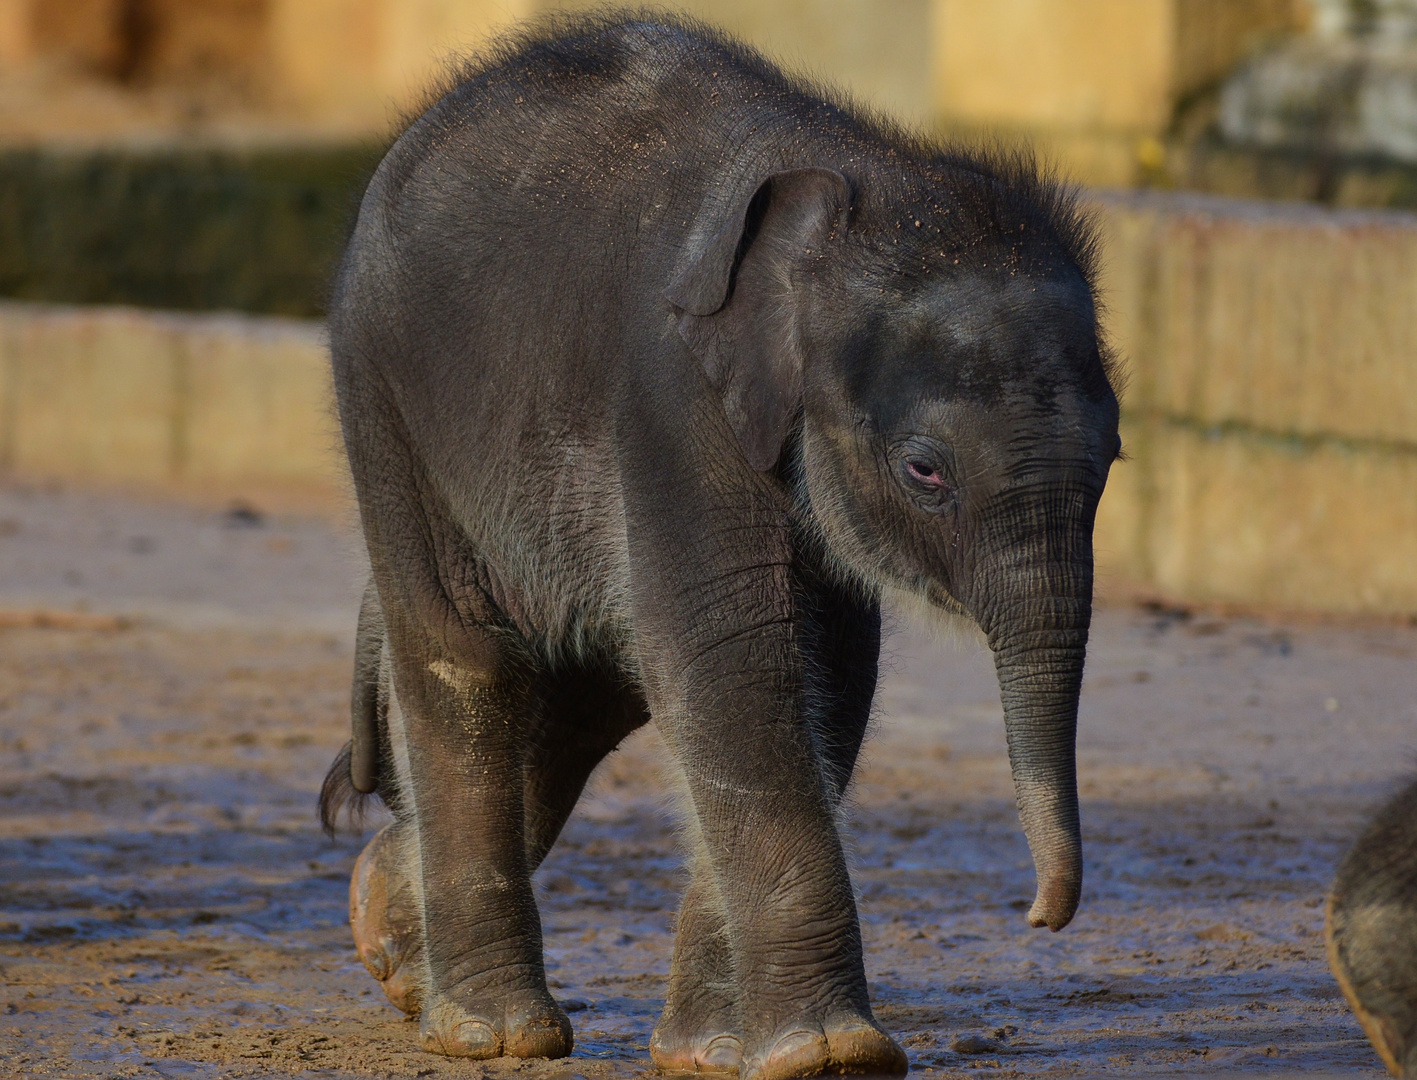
525	1025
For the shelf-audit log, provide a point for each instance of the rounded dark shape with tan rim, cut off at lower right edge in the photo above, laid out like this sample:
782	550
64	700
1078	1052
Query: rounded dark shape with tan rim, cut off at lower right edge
1372	932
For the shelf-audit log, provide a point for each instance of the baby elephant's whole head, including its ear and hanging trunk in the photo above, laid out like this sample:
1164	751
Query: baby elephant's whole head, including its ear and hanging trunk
927	342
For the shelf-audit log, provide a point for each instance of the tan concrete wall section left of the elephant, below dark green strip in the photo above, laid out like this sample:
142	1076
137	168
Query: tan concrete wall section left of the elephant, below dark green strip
125	396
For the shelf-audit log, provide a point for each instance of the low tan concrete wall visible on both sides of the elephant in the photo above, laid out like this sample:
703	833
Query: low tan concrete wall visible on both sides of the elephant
1270	417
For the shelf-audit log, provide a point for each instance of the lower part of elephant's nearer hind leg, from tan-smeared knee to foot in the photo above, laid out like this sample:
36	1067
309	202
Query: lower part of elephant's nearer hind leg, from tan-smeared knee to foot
461	735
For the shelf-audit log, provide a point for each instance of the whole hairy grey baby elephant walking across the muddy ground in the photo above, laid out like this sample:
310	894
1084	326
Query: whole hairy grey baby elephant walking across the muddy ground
655	371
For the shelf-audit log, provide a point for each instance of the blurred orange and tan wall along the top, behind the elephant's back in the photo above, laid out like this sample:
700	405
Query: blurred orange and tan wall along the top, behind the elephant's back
1096	83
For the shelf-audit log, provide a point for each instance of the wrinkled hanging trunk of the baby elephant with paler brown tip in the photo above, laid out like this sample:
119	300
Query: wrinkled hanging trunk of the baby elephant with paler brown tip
1039	661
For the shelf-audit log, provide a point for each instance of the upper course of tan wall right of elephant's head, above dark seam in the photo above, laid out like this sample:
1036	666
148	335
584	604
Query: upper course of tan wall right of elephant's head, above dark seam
1277	317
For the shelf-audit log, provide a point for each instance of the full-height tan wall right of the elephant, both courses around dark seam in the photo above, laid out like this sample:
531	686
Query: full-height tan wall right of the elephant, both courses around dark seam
1272	409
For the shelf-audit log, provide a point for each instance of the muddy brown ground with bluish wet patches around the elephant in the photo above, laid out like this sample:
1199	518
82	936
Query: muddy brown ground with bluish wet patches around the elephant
171	909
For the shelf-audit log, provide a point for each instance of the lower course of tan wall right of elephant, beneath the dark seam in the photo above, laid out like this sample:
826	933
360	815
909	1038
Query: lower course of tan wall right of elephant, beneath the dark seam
1248	518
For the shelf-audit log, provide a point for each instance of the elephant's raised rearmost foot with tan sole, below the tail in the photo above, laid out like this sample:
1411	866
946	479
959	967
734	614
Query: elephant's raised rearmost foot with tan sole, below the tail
386	921
